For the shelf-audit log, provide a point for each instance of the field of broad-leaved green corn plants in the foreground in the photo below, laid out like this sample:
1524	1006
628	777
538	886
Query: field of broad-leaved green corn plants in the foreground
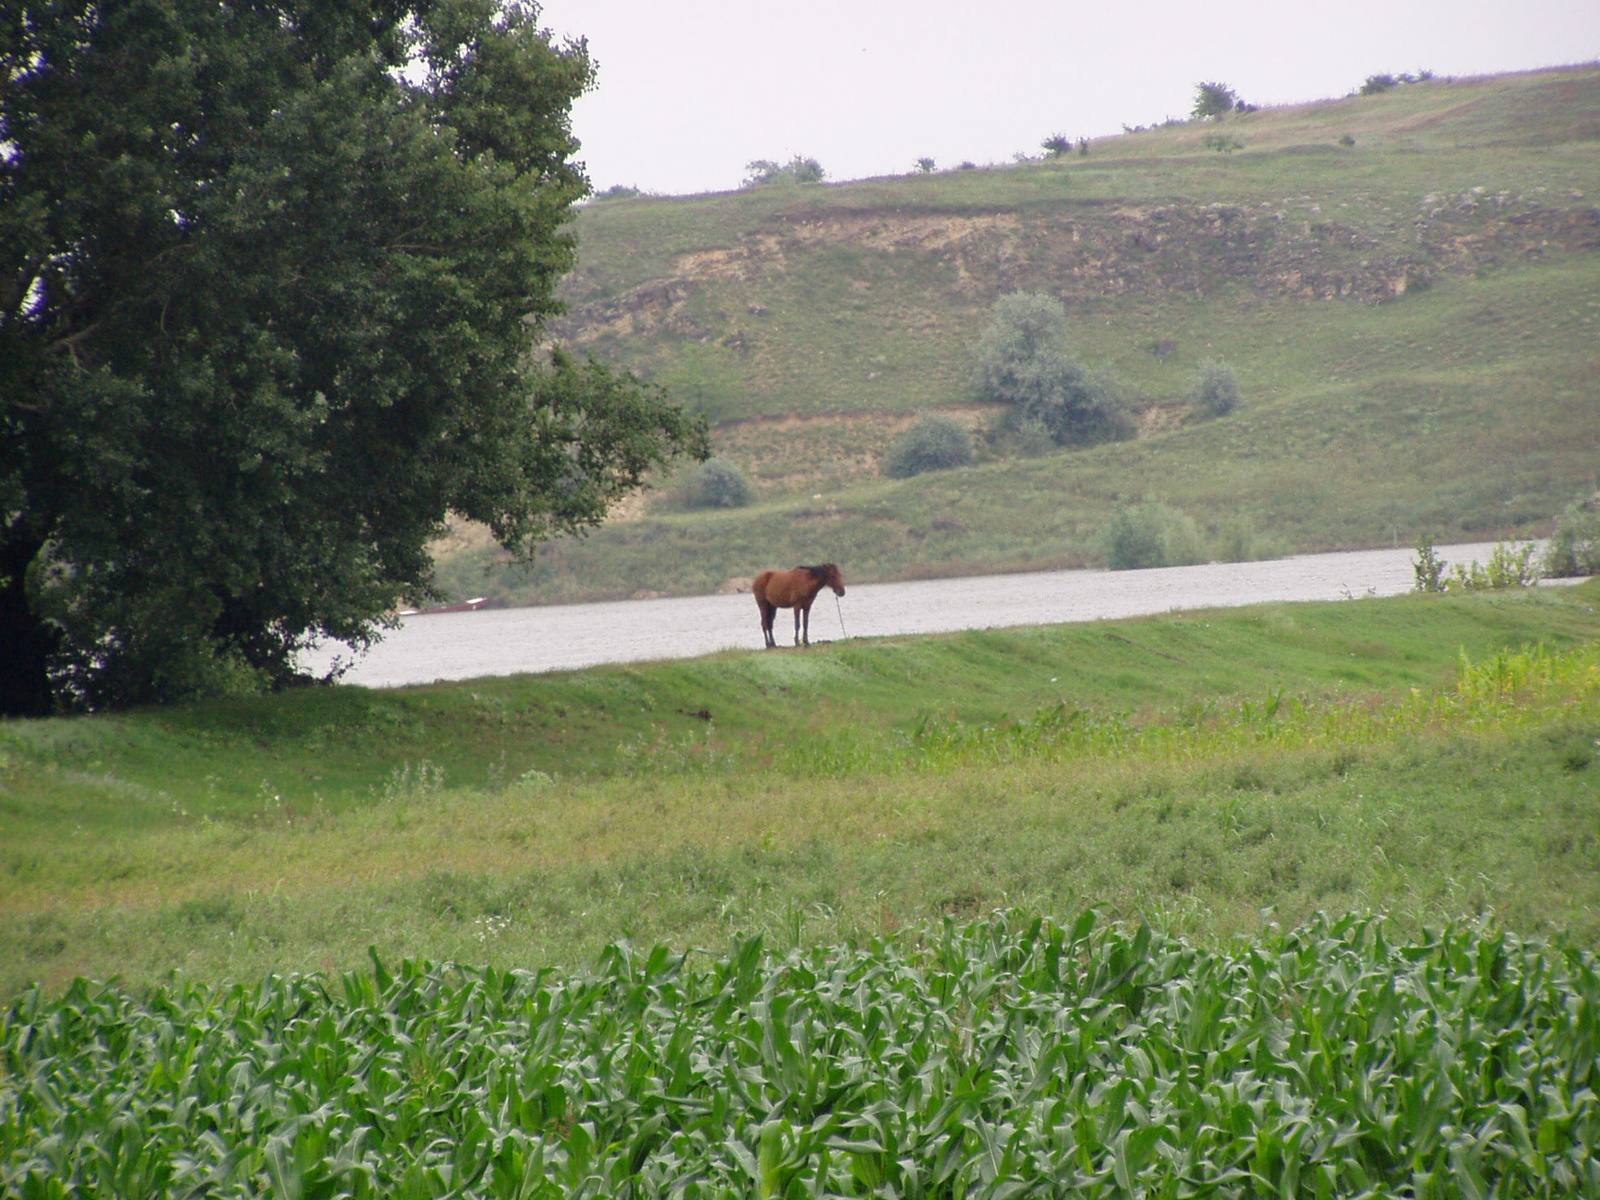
1006	1058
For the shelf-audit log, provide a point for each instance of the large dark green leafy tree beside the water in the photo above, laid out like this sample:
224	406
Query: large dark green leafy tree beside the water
271	282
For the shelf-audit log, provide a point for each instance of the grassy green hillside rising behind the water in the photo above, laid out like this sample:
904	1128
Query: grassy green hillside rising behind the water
1406	286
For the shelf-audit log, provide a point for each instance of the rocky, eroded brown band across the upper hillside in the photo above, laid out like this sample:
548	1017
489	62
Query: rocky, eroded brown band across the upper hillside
1087	252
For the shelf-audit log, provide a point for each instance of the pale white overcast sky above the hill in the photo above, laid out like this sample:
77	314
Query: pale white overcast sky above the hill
692	90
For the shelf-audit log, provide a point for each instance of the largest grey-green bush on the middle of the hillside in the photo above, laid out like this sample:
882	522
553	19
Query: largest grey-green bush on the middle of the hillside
1025	364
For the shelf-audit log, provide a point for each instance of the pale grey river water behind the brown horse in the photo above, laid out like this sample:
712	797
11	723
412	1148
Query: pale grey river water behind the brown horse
514	641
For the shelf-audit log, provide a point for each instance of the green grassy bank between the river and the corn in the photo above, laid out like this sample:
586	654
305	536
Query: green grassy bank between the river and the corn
1190	769
